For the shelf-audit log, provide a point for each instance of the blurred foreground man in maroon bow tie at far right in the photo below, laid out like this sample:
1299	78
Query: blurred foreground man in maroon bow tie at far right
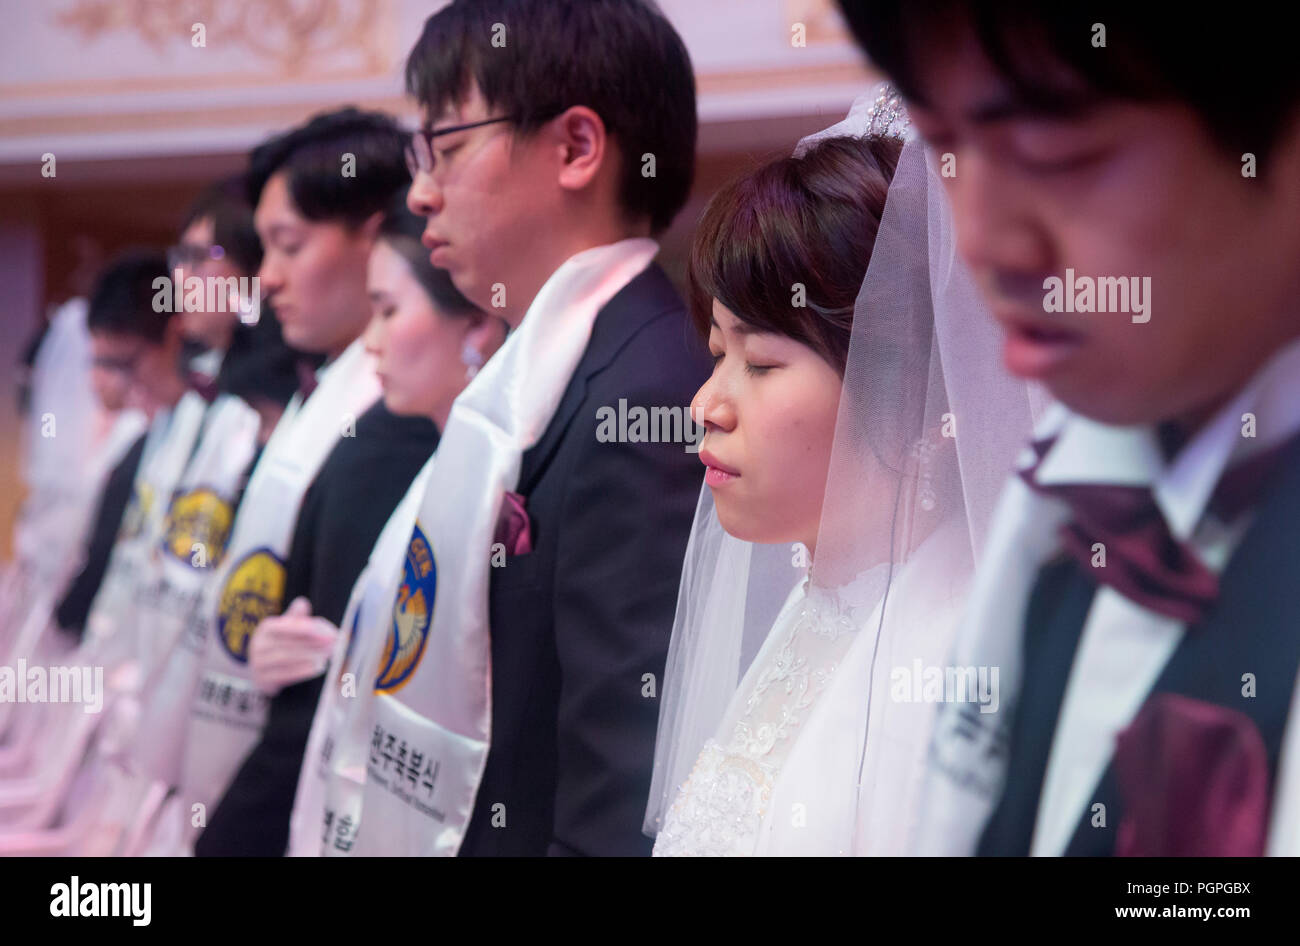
1158	636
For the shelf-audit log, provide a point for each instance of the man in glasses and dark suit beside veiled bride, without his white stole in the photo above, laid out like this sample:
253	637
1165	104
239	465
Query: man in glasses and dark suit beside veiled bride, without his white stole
549	129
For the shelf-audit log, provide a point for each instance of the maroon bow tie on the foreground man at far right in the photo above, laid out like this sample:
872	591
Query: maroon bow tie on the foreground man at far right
1145	562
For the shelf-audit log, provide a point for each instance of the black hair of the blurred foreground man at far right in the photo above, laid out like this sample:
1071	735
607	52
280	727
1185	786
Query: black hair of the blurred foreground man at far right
1238	72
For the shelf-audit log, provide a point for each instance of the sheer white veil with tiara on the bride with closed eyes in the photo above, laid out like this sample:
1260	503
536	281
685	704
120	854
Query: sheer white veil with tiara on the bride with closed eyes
929	427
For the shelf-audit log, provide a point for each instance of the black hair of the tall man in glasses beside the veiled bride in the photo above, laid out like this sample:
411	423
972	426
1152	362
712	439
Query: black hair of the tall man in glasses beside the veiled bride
619	58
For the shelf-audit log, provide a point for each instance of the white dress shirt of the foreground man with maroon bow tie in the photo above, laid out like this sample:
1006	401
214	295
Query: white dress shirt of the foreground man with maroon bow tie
1124	646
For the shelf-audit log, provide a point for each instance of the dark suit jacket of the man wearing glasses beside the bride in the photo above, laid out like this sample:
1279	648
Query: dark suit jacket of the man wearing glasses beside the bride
579	623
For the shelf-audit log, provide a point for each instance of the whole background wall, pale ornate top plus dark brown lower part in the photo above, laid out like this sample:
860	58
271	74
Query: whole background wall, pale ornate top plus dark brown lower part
141	107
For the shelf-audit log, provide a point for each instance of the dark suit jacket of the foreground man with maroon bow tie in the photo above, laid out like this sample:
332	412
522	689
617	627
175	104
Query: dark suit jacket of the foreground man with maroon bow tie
1251	628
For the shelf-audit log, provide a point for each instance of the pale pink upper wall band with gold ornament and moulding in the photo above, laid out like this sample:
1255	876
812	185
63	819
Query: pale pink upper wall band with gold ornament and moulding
109	79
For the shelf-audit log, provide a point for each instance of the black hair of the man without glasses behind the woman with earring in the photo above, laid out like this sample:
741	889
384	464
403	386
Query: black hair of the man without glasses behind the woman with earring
313	158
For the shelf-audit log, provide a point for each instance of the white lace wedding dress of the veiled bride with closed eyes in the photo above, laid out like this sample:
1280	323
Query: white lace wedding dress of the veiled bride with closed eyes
805	705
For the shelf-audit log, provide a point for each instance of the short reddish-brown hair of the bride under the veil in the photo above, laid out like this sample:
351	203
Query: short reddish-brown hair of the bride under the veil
809	222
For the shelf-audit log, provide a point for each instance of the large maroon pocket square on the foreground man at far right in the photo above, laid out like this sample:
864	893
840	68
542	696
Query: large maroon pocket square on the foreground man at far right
1194	778
